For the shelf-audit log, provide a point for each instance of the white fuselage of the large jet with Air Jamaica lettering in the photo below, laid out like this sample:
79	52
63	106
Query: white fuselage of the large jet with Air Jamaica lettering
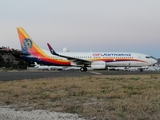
119	59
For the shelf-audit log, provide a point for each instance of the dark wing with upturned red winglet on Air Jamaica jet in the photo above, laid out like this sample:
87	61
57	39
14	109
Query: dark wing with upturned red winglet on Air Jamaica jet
76	60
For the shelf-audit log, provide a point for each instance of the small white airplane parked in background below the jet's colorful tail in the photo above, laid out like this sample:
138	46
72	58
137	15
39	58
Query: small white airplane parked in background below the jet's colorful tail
46	67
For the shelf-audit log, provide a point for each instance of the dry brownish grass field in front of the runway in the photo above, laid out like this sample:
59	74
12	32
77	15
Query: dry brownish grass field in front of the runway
93	97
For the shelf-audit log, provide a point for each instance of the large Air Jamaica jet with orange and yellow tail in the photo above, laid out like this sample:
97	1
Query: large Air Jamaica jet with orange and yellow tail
94	60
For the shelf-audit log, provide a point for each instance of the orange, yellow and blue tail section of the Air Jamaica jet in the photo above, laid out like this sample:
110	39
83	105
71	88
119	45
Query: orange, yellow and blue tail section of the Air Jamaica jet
31	52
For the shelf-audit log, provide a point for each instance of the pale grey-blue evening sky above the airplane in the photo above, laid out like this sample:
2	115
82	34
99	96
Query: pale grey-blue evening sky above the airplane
84	25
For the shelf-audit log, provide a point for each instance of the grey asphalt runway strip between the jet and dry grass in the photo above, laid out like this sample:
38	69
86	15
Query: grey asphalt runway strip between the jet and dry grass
21	75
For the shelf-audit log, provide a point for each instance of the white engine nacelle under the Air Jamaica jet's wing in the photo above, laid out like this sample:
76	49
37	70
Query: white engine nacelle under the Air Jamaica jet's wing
98	65
